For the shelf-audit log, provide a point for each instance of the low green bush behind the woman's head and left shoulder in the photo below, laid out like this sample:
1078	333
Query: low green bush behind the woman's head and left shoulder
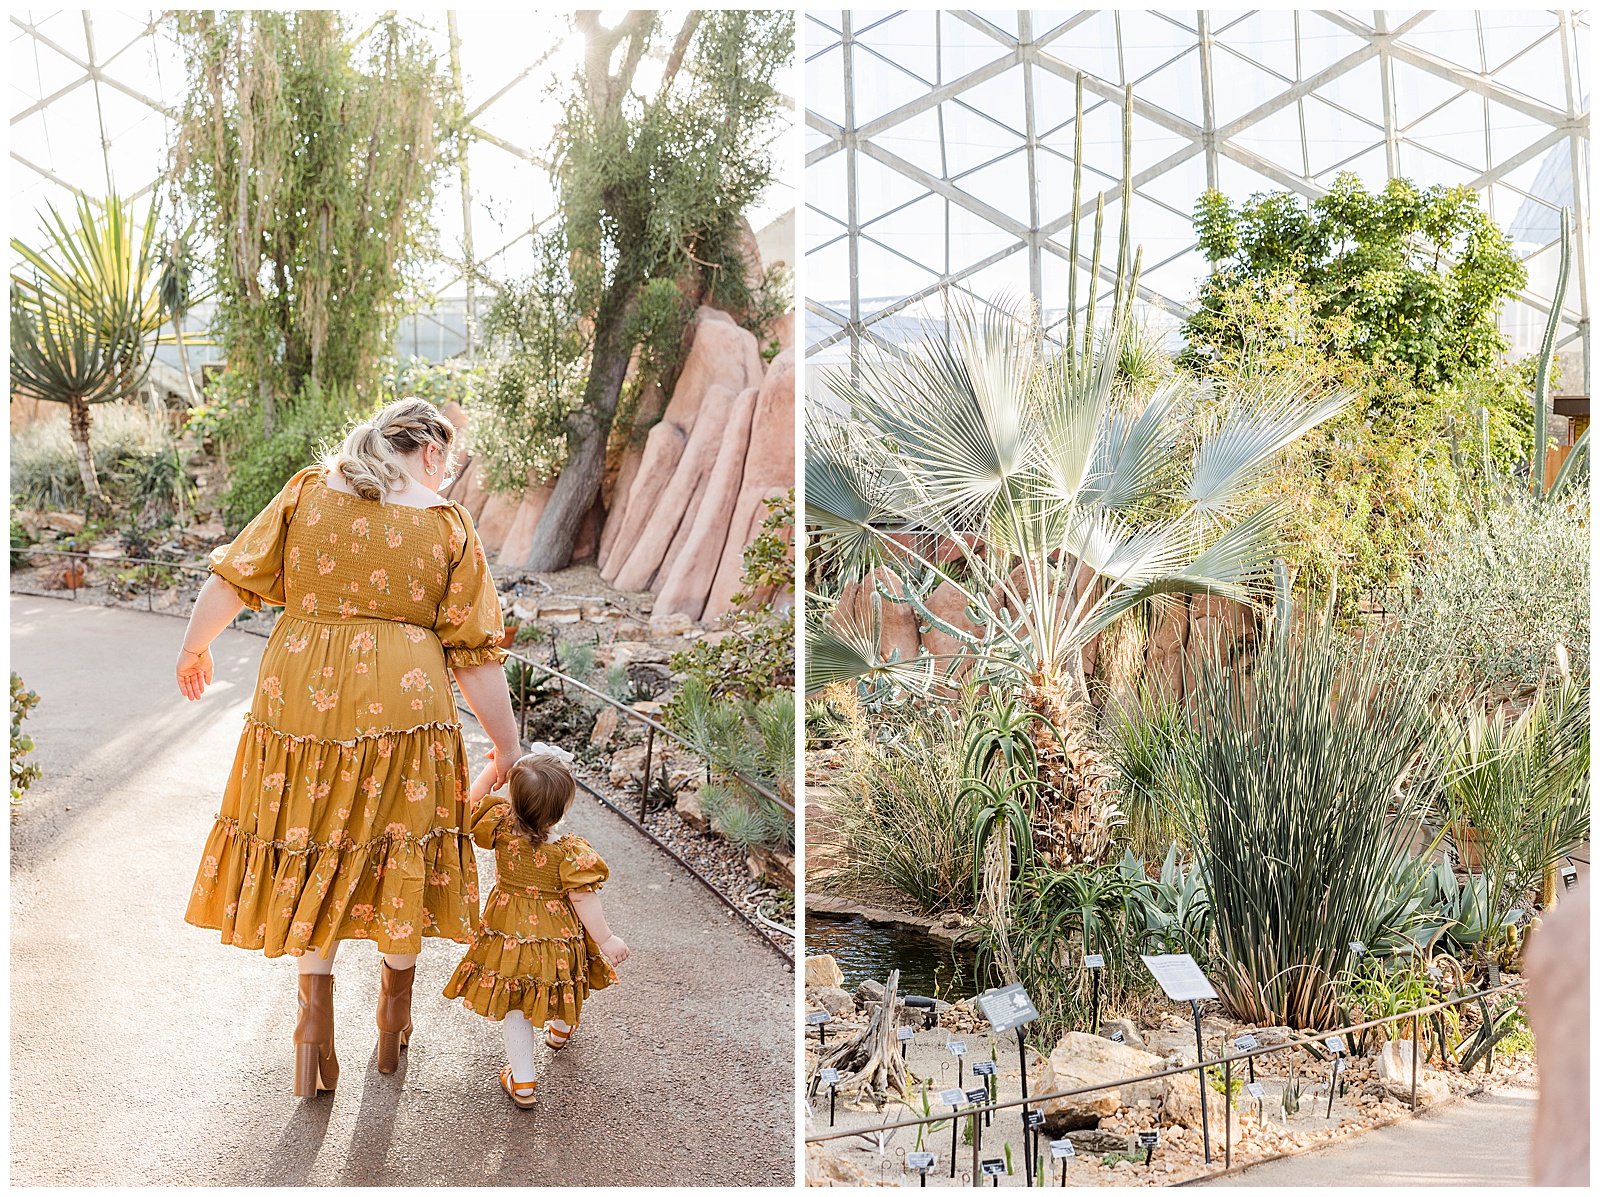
260	466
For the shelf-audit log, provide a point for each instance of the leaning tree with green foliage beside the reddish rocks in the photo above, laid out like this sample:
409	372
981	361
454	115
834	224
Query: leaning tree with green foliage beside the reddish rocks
654	188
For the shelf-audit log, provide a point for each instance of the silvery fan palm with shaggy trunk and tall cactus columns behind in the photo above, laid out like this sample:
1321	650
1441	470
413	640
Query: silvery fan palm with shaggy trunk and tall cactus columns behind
1065	505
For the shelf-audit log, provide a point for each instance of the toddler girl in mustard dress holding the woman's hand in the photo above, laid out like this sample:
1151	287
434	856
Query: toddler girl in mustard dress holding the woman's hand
543	945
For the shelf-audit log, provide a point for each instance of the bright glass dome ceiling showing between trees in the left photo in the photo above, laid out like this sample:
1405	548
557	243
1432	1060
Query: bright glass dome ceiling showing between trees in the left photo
94	94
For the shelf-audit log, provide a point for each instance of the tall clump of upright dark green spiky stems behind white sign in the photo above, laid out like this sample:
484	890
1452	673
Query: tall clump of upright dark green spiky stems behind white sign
1303	783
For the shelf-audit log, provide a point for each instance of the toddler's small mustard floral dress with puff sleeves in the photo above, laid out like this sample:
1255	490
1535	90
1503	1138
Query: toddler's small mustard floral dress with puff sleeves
532	953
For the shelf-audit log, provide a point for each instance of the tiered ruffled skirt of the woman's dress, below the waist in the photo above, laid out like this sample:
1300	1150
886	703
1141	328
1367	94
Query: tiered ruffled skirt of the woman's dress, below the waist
346	811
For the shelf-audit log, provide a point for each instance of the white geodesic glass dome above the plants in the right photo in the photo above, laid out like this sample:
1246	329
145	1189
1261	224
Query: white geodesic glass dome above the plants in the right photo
940	148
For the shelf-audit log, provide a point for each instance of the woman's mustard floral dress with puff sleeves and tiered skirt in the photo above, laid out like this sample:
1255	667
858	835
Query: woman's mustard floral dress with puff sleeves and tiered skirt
346	812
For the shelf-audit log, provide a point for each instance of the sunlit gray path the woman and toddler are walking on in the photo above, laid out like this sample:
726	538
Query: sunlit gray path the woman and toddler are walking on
145	1052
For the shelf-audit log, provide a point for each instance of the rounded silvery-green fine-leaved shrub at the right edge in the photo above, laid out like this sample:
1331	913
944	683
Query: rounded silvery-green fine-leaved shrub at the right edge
1497	596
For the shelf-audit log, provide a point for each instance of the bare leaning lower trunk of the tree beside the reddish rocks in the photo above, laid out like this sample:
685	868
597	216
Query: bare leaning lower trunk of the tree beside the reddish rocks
588	431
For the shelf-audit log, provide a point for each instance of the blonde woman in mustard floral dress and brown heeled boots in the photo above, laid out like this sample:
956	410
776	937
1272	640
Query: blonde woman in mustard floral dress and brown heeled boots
346	812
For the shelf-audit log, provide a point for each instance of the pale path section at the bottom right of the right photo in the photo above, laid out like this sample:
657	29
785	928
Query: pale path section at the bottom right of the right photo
1478	1142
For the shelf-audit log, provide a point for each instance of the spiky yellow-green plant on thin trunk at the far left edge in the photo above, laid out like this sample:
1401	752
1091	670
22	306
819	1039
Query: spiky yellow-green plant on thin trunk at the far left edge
81	316
